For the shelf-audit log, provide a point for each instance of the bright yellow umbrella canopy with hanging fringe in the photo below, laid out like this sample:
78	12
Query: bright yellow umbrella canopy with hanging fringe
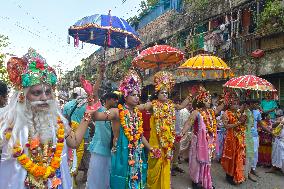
206	63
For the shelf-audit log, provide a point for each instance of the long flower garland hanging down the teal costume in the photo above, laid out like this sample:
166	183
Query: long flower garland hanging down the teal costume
132	127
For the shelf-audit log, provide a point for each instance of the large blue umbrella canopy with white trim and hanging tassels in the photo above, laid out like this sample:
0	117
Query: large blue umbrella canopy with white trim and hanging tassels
106	31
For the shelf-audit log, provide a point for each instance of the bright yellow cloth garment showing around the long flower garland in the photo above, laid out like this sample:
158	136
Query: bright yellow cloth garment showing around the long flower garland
158	175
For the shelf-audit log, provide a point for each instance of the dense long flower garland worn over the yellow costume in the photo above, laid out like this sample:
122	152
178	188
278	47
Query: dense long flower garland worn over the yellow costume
164	115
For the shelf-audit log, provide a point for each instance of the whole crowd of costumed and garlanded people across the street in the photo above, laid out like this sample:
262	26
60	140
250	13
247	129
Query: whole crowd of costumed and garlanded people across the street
123	141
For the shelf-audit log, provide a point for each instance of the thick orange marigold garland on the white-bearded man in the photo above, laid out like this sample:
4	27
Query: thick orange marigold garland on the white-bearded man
40	171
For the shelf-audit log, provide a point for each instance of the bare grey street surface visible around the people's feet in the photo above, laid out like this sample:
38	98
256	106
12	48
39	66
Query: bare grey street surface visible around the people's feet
267	180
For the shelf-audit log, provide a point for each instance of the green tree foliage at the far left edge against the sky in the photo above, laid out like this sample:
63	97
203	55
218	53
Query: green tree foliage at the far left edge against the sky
3	71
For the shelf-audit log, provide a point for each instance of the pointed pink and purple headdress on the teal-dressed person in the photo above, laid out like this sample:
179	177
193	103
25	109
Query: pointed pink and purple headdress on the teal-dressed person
131	82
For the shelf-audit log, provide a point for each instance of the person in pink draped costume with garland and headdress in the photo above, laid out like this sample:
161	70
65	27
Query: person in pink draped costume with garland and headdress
203	139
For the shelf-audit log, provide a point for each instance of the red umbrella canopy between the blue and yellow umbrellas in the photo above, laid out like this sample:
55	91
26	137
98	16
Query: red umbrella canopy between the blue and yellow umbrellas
158	56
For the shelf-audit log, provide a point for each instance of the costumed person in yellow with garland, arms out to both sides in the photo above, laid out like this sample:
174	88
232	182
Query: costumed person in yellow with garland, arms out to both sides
162	134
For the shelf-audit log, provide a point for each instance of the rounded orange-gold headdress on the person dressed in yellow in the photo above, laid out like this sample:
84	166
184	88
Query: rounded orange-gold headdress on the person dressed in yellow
164	80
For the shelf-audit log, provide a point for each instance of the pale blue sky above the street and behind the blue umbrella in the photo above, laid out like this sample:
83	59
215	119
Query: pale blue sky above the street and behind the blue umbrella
43	25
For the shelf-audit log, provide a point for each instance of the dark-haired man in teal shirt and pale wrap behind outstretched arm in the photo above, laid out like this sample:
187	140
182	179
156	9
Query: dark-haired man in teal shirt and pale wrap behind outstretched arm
100	149
